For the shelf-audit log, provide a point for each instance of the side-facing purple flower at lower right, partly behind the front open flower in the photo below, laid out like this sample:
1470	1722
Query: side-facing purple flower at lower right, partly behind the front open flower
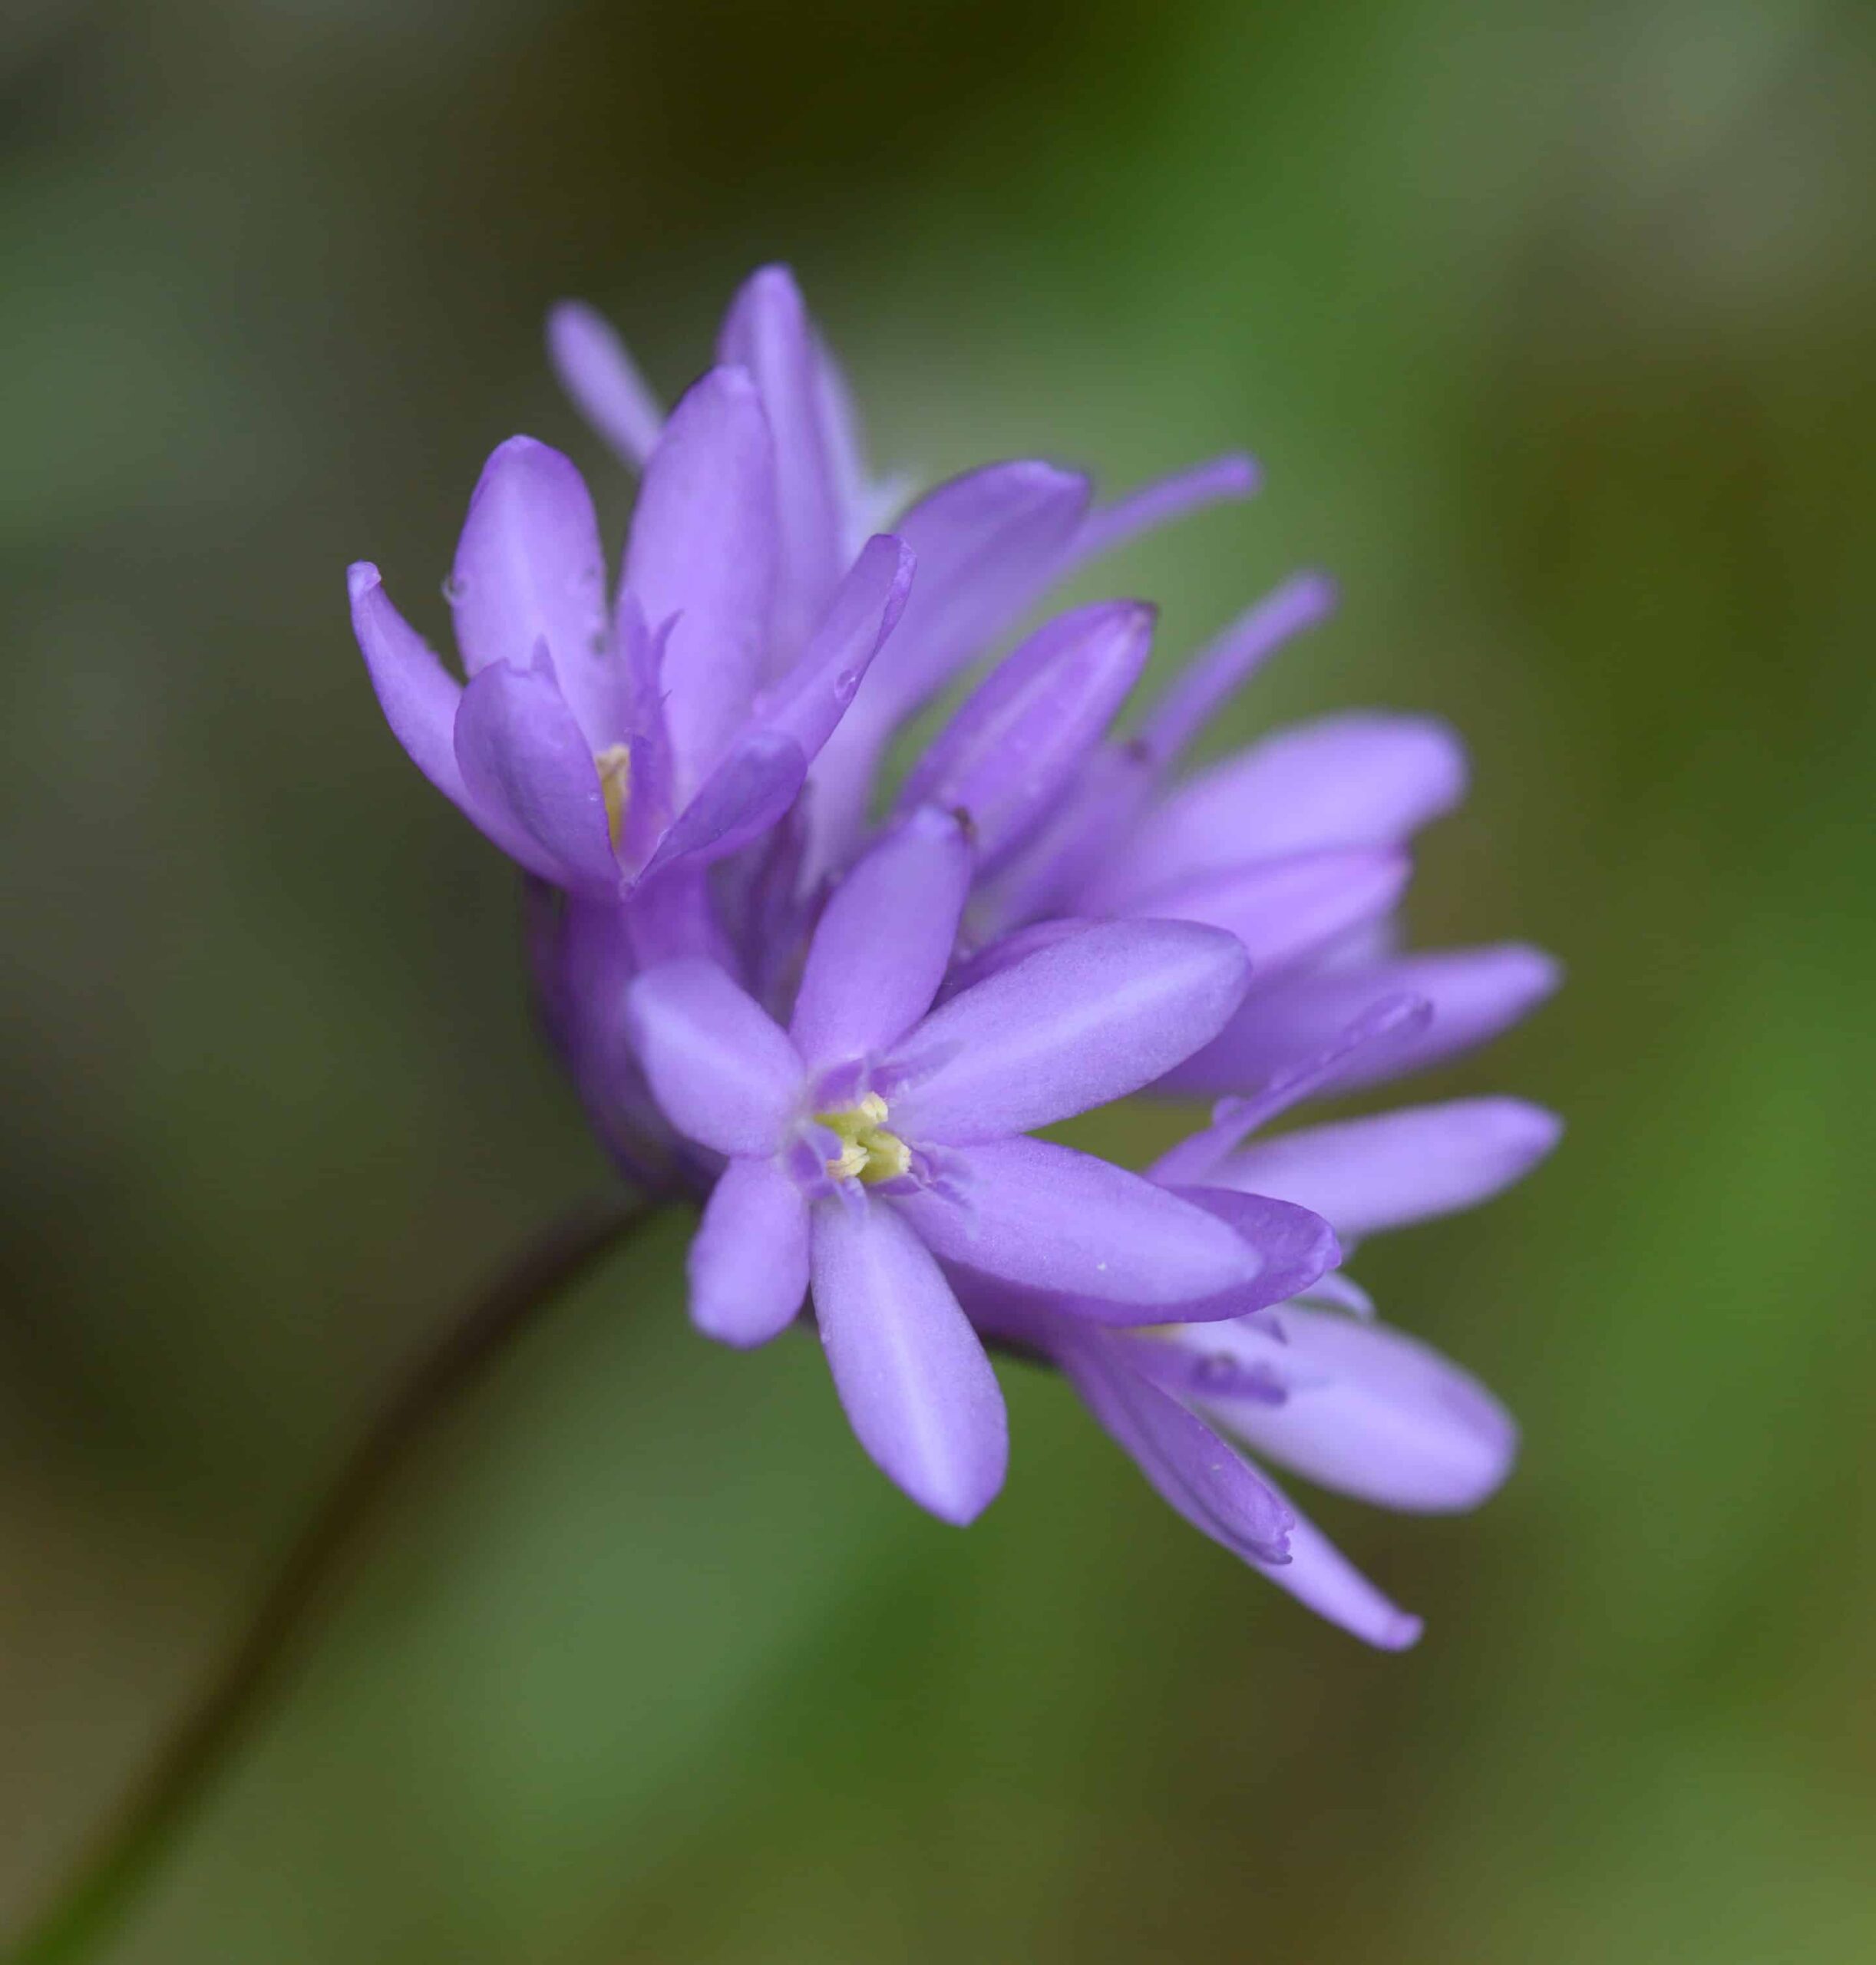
1349	1404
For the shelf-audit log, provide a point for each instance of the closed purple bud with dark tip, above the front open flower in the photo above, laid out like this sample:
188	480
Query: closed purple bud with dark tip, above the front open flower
1032	724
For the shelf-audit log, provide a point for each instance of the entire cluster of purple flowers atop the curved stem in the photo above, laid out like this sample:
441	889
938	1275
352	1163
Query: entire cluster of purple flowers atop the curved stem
840	1009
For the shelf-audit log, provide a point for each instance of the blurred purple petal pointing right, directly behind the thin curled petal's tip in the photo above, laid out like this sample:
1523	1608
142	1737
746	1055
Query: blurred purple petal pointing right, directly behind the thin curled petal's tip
1476	993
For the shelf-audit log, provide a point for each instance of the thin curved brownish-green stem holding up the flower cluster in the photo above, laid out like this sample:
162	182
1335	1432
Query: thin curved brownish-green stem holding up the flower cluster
125	1852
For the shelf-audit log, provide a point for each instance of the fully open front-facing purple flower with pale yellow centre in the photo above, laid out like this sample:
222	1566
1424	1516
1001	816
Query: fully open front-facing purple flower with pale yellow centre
877	1135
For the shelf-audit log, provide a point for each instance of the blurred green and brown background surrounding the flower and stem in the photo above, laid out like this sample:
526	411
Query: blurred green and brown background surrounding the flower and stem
1553	327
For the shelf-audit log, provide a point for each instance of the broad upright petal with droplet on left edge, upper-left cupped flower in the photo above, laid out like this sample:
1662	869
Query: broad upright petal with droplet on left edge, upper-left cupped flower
529	571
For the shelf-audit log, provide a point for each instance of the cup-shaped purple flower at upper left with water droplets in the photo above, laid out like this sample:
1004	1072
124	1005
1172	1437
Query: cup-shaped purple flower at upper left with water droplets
604	744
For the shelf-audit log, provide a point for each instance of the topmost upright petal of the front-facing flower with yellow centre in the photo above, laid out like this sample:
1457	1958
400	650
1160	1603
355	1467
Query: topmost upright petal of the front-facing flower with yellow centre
883	944
